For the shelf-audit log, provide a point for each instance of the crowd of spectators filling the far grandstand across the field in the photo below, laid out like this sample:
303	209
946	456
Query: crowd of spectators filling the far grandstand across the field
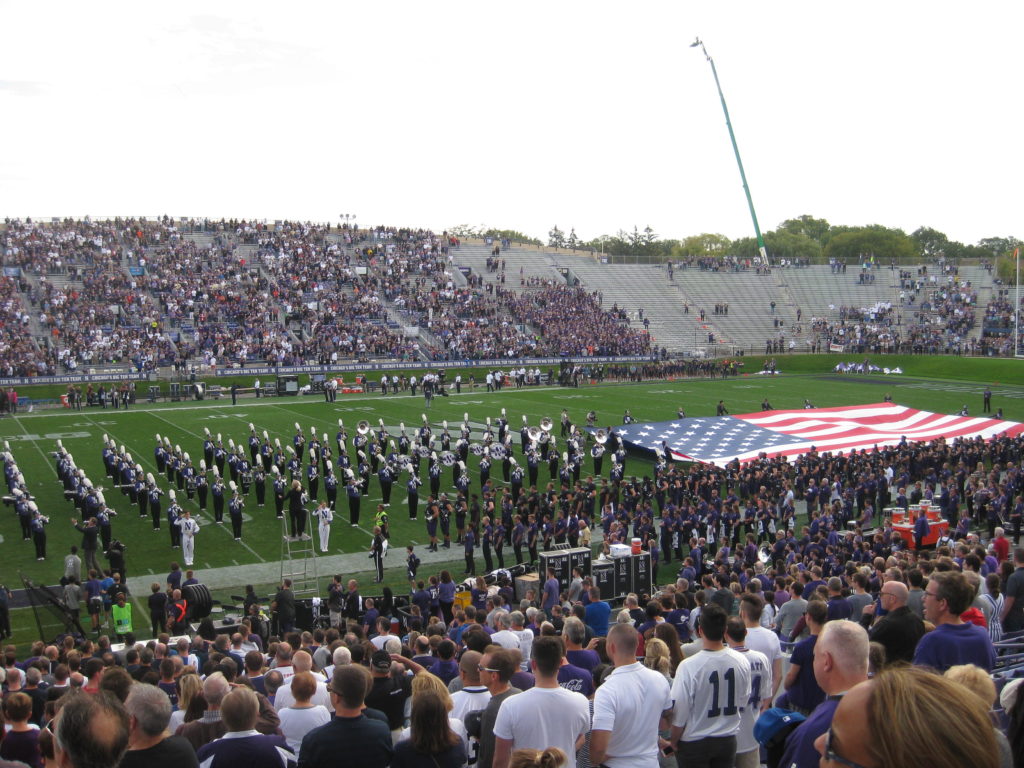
153	293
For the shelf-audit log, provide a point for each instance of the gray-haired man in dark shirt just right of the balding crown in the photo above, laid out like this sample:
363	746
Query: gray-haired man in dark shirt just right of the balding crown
149	744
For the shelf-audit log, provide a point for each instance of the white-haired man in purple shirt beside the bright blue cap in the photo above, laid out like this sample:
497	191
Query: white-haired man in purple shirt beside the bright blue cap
840	664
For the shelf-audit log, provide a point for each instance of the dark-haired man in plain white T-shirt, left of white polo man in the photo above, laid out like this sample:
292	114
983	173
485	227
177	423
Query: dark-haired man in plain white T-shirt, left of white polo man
547	715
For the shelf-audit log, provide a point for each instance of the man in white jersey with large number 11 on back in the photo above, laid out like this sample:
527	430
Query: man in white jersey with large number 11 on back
710	690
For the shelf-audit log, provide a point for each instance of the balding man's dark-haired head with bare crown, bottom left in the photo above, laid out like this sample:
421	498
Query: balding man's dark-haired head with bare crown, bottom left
92	732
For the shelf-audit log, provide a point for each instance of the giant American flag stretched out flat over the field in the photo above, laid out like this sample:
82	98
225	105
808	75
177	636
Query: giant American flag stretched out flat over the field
720	440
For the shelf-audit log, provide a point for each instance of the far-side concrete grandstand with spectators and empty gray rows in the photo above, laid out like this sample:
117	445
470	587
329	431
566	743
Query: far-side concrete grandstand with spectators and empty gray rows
157	293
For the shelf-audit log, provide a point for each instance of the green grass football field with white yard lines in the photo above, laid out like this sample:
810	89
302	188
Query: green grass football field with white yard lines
33	437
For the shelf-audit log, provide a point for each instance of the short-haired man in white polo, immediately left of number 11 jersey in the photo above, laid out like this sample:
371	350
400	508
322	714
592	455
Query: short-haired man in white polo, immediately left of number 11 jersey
628	708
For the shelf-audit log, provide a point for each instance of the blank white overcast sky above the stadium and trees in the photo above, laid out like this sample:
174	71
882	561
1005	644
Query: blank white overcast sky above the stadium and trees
588	115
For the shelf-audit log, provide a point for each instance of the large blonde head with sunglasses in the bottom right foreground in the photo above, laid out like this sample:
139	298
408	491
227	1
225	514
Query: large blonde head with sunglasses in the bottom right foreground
931	722
